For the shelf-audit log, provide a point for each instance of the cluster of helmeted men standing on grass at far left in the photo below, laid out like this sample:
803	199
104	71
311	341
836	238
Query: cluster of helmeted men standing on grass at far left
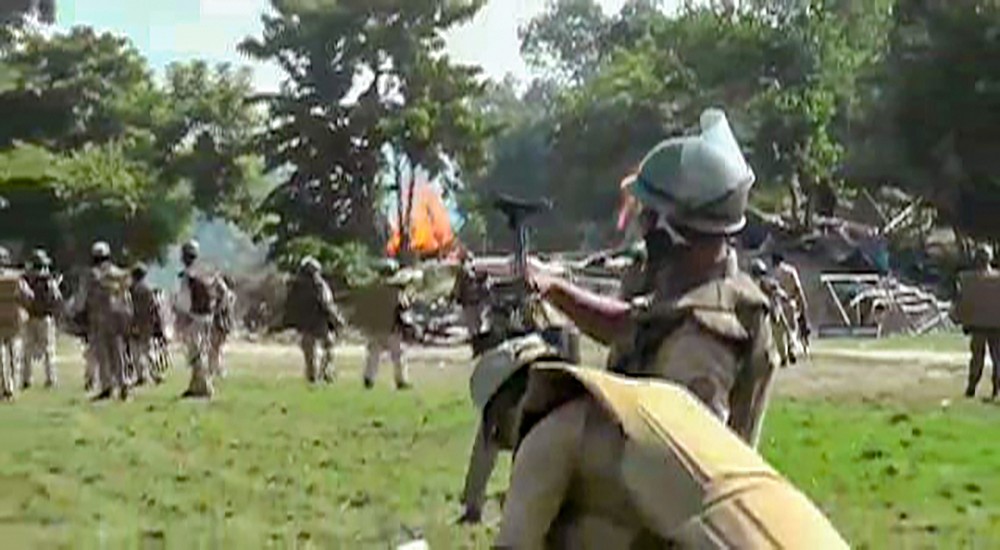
122	319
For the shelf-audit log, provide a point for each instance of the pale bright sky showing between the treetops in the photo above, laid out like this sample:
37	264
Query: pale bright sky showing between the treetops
175	30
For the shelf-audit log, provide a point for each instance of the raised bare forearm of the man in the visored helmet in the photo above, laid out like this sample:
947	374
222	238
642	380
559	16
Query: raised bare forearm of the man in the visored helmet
599	317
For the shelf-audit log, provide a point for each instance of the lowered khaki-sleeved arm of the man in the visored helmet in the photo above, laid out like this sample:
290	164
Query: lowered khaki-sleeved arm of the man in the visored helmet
753	384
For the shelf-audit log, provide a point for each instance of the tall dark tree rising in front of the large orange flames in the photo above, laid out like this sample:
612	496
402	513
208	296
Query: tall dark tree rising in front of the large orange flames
359	76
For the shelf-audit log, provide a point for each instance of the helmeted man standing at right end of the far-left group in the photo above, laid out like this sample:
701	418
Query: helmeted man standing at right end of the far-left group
196	304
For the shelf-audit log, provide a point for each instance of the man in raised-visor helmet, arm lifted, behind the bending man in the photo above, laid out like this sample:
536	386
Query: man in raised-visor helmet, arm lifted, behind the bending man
705	325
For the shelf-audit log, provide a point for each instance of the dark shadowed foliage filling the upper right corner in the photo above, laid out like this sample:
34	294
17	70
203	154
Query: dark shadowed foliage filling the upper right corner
933	112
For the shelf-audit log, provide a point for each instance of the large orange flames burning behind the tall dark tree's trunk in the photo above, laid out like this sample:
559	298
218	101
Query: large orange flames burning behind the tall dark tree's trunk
431	233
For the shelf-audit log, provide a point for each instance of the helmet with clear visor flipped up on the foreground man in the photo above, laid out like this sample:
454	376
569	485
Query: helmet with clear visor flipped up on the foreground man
699	182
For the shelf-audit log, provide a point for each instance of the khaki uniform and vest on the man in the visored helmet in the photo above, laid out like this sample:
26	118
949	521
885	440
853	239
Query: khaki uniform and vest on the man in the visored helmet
716	340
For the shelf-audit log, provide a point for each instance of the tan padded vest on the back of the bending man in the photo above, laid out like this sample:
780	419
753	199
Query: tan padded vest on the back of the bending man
691	480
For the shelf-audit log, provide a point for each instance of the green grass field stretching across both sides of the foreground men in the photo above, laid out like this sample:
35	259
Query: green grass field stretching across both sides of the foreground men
272	463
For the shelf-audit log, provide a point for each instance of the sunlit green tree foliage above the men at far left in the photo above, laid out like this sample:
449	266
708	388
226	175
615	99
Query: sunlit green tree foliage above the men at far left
119	156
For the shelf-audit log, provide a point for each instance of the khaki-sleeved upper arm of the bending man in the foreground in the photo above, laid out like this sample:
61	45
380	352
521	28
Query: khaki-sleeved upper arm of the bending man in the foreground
544	465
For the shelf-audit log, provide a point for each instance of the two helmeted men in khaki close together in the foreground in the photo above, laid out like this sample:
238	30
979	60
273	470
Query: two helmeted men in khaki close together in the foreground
658	449
